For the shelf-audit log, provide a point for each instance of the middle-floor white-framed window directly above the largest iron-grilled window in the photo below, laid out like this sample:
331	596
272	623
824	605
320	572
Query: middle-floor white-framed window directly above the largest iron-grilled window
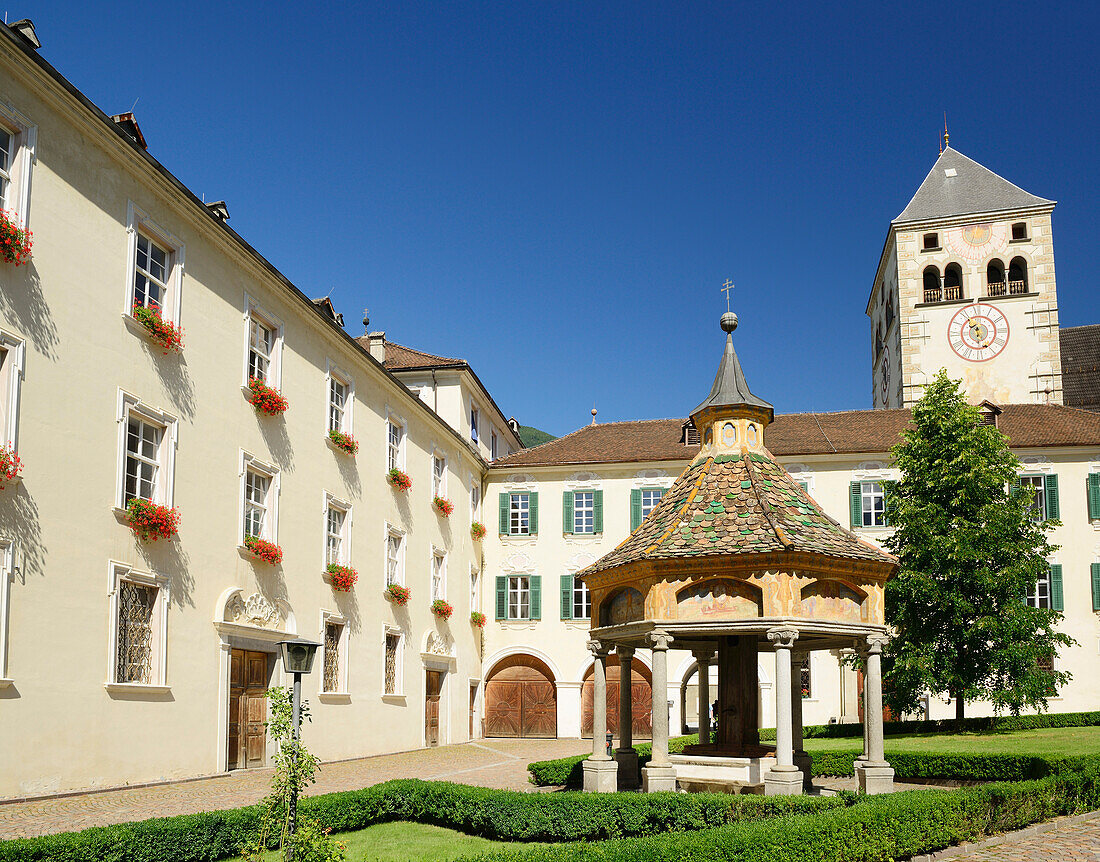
148	443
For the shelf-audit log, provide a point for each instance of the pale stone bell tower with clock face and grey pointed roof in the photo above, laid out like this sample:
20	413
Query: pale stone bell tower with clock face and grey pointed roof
966	283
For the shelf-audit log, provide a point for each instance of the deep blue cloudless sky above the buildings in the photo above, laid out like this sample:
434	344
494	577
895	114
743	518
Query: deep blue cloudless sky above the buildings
556	192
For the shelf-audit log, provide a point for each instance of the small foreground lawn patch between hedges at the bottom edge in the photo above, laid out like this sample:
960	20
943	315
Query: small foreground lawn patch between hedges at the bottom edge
413	843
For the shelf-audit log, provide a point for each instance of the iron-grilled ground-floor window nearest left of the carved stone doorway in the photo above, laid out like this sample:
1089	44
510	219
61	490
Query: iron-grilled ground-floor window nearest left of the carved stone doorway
138	605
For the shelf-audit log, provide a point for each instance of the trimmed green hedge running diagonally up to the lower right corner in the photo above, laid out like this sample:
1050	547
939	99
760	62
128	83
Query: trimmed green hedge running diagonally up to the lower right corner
879	830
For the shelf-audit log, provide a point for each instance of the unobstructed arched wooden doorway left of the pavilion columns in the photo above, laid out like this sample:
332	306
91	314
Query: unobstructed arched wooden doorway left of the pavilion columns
521	699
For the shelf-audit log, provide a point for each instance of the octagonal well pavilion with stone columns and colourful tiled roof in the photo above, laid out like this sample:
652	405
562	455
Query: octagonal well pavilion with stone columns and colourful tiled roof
736	559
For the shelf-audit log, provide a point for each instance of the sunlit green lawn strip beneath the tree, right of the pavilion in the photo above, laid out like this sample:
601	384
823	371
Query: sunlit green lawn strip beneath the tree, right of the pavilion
1050	742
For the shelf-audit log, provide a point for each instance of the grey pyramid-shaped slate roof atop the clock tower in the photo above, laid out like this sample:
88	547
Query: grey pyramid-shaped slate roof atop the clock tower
972	189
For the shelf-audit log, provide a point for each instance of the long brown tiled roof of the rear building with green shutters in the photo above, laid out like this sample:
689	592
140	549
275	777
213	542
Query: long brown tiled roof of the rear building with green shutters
790	435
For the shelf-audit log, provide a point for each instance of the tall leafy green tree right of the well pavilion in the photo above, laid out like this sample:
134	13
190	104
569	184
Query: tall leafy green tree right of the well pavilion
970	550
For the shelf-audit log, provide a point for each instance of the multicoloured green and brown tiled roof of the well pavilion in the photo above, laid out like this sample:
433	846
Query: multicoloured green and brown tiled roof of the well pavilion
738	505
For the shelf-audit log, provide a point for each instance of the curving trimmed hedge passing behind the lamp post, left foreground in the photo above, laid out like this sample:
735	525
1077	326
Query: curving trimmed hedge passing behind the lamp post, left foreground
501	815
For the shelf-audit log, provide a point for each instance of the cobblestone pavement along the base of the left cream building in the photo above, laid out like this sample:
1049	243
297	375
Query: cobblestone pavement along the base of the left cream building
489	764
